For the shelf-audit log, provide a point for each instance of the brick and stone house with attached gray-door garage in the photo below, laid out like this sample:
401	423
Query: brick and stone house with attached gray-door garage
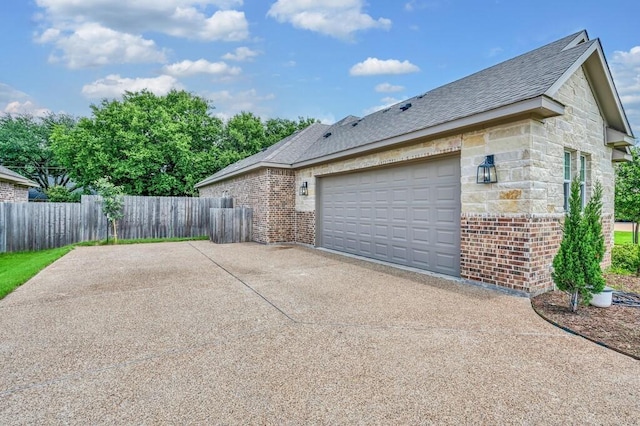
470	179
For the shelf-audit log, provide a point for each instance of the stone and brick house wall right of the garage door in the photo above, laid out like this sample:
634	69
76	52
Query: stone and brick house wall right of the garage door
525	207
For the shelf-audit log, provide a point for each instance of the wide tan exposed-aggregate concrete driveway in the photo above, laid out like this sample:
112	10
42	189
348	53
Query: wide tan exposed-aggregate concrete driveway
197	333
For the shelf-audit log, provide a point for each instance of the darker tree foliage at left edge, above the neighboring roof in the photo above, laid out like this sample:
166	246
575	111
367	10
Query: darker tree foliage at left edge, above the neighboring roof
25	146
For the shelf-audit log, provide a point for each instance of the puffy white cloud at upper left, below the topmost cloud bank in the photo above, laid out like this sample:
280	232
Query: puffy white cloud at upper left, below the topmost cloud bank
94	45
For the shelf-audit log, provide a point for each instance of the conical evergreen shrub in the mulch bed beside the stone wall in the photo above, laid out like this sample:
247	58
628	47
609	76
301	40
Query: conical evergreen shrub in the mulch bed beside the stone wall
576	266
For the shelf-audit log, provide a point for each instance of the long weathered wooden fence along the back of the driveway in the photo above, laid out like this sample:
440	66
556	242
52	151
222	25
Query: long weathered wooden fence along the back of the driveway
38	226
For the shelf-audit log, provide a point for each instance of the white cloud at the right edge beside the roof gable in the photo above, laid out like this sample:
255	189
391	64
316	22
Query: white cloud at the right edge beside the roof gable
625	67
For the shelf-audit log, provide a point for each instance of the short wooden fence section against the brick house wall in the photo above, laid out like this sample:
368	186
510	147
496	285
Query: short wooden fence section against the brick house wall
231	225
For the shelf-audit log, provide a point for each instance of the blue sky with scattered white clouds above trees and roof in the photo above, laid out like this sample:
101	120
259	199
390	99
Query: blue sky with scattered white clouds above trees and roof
286	58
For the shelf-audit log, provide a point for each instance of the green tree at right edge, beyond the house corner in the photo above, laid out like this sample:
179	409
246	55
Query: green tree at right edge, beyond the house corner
627	201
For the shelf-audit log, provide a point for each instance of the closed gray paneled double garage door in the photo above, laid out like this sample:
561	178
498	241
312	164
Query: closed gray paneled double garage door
406	214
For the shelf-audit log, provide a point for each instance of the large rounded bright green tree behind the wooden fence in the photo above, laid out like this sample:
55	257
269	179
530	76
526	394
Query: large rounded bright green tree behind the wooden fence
147	144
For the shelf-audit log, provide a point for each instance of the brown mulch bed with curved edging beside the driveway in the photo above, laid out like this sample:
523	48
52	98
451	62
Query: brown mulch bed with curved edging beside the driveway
617	327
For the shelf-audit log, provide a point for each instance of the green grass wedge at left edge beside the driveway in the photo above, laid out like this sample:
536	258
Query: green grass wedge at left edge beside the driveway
17	268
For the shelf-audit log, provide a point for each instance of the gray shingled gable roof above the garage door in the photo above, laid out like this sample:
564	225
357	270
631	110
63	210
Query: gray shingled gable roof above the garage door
522	86
